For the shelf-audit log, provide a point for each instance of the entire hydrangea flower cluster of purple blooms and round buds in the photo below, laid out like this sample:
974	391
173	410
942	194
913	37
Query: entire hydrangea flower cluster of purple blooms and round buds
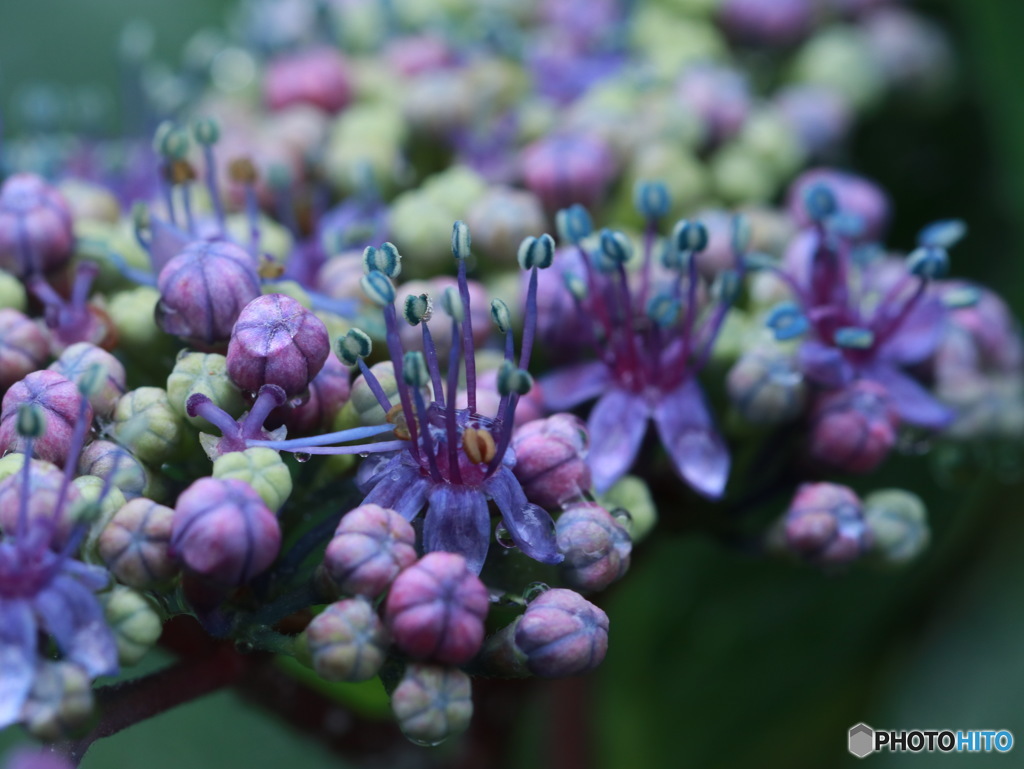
231	406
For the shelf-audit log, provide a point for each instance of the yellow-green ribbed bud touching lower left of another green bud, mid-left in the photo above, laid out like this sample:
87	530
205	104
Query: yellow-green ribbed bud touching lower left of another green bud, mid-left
147	425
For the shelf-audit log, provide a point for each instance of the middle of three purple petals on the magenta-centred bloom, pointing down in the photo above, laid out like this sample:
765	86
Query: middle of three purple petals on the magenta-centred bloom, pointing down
617	426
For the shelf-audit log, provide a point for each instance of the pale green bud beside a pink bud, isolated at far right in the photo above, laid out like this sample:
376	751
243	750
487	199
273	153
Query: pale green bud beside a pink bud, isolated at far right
899	524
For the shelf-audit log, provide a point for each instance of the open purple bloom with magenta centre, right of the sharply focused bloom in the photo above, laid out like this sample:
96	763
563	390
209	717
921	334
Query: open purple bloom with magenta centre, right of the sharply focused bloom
653	334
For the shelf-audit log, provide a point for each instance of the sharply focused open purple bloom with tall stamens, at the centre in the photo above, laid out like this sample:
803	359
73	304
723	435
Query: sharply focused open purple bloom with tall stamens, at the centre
452	461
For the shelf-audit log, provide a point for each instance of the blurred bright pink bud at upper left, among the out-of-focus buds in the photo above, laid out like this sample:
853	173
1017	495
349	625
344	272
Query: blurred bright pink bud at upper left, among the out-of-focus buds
319	77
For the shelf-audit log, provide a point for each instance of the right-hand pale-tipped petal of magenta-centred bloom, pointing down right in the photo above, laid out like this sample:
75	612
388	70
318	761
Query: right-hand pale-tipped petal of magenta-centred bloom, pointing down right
698	450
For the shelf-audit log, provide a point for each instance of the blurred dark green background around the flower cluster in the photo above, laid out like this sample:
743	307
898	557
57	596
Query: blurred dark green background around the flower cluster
718	660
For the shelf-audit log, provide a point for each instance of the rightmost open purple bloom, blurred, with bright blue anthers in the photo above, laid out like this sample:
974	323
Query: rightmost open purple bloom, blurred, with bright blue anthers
865	318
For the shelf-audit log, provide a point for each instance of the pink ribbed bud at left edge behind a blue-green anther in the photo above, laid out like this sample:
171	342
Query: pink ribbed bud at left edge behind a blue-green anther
61	403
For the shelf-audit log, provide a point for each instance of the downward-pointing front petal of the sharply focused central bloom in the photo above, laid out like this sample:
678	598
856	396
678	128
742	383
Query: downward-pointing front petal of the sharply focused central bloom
458	522
